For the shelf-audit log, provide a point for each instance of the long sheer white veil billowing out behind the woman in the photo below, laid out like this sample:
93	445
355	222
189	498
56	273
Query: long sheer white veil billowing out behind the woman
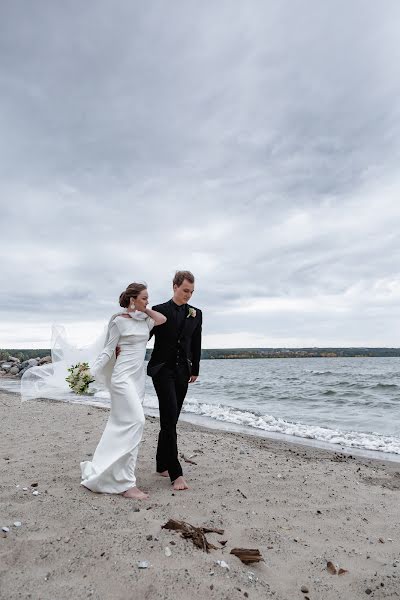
48	381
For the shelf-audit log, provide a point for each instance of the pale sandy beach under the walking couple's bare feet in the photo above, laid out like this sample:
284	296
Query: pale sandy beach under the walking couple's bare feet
301	507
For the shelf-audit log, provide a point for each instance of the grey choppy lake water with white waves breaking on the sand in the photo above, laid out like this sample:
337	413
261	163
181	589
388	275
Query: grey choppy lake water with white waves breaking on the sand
330	405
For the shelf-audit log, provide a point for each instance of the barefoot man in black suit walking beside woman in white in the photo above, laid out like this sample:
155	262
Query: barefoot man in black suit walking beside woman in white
174	363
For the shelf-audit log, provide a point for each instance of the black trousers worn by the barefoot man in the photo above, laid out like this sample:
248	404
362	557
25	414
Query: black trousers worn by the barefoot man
171	385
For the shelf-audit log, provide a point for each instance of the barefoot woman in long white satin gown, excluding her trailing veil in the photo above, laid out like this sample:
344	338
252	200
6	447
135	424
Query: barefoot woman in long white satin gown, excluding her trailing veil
112	468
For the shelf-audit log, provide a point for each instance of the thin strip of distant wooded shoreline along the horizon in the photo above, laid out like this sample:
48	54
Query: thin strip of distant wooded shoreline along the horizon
246	353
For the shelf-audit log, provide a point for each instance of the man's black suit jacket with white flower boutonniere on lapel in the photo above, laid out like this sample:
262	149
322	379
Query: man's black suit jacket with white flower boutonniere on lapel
166	339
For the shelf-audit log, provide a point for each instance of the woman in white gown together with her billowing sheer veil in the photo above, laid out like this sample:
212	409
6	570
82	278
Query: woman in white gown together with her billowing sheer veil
112	468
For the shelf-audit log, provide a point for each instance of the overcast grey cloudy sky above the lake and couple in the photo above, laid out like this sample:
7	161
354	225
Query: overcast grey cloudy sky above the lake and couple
255	143
